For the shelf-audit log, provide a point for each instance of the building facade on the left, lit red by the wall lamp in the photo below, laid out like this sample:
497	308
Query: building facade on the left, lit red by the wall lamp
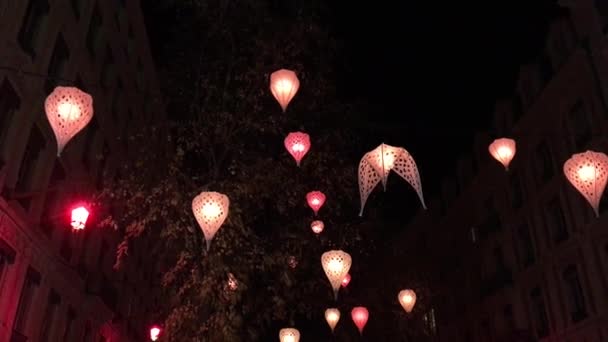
55	284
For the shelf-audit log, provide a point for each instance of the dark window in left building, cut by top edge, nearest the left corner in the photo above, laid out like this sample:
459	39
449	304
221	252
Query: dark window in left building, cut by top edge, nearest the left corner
34	23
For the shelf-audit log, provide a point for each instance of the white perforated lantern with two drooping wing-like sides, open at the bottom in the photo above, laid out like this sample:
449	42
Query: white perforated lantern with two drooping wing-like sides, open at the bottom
377	164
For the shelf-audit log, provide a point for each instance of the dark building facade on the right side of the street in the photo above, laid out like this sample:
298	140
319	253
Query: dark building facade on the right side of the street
520	254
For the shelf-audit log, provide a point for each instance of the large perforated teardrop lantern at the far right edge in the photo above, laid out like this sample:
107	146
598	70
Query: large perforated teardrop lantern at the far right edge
588	173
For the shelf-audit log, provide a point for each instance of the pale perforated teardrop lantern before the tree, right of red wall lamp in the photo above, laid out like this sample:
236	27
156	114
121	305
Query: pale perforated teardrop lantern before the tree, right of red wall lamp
210	210
